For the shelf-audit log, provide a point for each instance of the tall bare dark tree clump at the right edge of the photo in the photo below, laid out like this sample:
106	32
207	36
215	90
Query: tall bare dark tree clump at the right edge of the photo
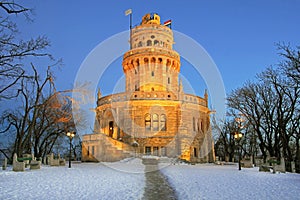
271	106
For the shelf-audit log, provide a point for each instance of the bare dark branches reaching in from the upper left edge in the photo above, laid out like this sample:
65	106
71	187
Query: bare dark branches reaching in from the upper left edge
14	50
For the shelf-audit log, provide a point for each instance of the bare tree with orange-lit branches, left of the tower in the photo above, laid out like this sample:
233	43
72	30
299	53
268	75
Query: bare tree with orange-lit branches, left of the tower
45	116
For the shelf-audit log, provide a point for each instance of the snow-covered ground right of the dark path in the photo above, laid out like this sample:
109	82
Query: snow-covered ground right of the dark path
208	181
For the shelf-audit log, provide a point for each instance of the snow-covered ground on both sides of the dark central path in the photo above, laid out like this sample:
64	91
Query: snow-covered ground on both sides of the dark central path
126	180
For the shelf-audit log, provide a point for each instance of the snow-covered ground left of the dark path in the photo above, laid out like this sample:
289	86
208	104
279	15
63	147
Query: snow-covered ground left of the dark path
82	181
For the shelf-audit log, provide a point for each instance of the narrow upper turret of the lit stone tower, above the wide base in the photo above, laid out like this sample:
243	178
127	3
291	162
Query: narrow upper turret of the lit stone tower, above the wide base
151	64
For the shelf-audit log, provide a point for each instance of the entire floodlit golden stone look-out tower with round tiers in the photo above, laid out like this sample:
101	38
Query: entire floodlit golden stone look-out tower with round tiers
153	116
